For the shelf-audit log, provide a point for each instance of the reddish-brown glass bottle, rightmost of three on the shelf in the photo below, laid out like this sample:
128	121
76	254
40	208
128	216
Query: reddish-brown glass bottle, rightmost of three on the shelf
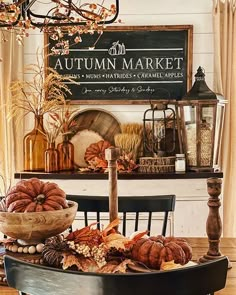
66	154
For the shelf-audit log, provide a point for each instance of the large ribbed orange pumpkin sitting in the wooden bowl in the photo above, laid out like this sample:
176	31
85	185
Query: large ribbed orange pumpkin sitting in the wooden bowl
35	195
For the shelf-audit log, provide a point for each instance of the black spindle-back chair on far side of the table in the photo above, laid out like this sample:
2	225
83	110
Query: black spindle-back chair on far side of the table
126	204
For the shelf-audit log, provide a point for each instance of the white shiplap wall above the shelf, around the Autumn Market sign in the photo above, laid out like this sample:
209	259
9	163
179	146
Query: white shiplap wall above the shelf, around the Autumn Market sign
155	12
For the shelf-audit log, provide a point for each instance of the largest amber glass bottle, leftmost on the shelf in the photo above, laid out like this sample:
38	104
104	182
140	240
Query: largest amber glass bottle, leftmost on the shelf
35	145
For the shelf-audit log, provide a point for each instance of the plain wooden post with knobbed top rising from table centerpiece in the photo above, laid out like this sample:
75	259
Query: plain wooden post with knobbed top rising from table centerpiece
111	155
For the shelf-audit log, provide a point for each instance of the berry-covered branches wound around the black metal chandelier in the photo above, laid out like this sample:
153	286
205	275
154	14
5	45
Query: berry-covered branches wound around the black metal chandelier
60	18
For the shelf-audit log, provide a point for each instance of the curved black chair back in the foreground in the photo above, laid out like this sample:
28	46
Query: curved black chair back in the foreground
201	279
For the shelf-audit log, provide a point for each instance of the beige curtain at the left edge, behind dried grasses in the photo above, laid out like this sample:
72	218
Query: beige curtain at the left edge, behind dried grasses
11	68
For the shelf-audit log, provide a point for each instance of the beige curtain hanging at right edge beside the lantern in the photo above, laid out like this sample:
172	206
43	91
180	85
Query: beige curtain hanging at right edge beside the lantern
224	23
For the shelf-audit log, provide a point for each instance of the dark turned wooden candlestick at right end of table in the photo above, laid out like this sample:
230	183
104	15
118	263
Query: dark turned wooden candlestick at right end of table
213	223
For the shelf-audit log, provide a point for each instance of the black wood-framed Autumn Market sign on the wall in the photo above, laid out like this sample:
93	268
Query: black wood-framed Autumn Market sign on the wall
129	65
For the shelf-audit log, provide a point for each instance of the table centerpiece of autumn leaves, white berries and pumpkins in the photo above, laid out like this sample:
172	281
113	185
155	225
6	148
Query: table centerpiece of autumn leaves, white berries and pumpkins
107	251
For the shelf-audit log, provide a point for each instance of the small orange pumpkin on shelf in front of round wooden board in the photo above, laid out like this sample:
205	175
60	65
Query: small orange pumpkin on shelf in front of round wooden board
96	150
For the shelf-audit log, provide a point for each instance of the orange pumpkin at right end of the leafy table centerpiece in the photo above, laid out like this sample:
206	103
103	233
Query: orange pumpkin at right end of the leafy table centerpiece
155	250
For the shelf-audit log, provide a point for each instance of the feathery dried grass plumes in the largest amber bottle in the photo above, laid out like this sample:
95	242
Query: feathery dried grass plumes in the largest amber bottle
43	94
